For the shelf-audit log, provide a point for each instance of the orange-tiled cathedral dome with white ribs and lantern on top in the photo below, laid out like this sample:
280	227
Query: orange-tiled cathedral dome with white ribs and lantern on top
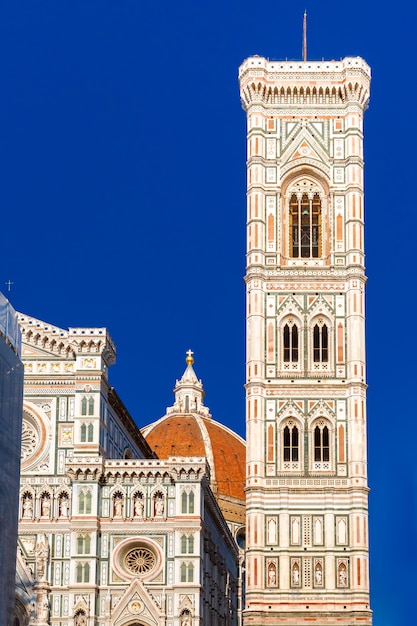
187	429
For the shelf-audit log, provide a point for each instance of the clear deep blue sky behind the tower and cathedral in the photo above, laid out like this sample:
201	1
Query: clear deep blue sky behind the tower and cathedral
122	147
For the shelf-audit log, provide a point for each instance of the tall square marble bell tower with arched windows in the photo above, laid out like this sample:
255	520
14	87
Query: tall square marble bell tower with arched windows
306	486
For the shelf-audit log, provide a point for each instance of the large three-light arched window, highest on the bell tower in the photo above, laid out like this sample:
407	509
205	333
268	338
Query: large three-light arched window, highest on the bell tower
305	225
